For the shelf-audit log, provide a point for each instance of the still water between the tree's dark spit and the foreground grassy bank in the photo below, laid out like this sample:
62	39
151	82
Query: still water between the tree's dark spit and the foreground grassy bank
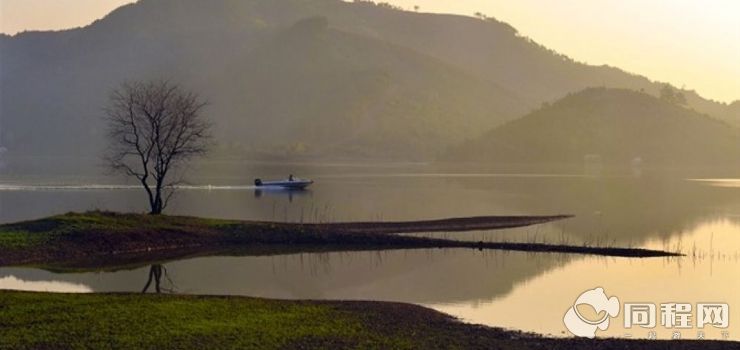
510	289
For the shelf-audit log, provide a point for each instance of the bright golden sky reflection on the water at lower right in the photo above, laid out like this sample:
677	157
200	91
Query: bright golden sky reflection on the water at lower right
707	274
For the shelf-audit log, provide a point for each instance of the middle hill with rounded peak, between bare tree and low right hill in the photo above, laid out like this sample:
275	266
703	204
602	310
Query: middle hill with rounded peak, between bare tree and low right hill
344	94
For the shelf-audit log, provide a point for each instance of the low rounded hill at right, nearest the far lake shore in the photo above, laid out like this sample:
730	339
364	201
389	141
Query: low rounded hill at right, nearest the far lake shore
615	126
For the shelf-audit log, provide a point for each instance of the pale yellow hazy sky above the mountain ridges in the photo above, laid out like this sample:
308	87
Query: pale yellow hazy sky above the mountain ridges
692	43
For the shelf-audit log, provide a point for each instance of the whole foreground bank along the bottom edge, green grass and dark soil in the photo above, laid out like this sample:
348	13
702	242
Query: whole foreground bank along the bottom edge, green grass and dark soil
134	321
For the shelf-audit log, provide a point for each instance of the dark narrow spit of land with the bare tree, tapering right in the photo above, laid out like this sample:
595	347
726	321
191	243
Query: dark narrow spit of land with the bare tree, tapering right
101	238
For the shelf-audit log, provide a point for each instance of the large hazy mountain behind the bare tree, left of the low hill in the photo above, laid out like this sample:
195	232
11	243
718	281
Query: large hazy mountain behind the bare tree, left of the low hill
275	86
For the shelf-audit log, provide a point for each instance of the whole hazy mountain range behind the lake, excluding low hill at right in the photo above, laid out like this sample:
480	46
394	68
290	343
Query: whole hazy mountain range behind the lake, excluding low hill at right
300	78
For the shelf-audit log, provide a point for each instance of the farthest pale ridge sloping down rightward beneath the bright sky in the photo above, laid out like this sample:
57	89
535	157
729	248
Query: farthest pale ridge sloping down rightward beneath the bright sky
497	52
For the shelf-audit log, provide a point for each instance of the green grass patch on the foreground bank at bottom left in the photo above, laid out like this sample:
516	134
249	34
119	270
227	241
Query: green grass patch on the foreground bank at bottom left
137	321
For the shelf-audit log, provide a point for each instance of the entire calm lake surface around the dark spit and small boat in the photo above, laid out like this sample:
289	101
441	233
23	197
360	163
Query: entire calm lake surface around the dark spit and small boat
515	290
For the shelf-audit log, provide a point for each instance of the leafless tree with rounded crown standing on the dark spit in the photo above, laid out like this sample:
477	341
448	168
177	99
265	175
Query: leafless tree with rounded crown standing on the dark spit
154	128
